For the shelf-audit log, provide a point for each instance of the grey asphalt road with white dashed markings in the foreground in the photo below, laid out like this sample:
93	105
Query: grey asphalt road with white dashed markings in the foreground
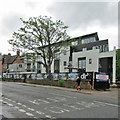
21	101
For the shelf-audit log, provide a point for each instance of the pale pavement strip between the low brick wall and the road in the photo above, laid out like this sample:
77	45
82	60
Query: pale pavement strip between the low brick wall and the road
111	93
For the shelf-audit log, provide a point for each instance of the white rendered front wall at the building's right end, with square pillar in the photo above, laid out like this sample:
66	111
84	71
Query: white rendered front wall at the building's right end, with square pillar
94	55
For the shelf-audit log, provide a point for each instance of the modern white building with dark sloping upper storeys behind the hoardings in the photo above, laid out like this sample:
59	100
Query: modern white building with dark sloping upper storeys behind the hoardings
86	53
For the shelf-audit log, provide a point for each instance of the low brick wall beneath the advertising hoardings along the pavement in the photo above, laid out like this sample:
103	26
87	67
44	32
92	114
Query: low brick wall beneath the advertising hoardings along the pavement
68	83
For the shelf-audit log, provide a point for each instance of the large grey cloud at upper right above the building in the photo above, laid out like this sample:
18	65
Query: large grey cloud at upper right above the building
83	14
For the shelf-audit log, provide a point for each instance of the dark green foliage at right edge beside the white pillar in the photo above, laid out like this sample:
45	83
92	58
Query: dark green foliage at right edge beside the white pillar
118	63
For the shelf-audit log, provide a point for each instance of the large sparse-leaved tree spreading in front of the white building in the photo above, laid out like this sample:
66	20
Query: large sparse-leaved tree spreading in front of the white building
42	36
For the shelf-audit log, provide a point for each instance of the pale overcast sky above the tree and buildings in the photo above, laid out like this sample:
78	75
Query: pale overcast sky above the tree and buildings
81	16
